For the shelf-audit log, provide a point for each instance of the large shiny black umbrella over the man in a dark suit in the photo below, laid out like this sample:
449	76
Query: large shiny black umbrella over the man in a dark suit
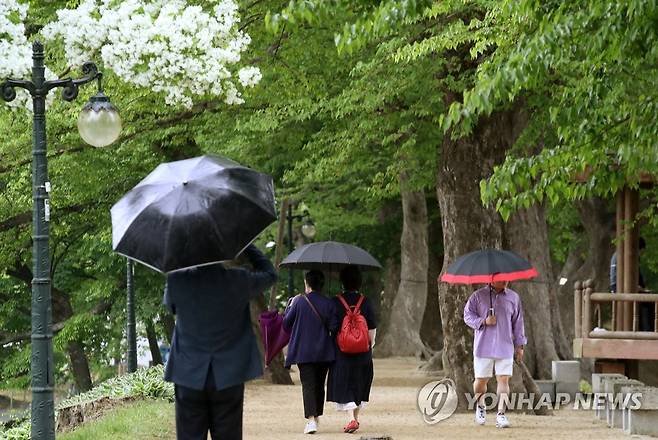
192	212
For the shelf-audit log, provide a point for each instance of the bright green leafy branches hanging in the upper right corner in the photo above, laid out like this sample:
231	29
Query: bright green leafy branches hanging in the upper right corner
586	73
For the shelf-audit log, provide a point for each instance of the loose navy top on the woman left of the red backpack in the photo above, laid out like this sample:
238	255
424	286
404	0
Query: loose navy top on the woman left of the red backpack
310	340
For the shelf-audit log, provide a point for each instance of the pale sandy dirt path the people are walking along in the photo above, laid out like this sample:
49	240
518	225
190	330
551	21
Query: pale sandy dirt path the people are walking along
275	413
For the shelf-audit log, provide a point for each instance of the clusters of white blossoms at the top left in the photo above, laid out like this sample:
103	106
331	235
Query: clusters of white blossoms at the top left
172	47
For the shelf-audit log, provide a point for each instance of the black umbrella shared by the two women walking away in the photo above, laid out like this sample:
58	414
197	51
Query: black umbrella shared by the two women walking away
330	256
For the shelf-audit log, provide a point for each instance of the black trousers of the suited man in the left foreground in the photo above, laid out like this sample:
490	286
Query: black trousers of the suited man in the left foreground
217	411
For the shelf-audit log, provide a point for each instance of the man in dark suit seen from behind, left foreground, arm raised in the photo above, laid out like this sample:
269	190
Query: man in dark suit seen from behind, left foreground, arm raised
214	350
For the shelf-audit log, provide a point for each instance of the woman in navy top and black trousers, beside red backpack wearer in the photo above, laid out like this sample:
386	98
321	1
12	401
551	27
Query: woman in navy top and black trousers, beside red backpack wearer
311	319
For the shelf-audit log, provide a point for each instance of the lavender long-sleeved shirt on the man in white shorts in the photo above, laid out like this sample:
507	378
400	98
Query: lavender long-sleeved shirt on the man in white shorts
496	341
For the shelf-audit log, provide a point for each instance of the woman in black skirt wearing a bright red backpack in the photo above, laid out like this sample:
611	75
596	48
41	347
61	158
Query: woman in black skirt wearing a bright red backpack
350	377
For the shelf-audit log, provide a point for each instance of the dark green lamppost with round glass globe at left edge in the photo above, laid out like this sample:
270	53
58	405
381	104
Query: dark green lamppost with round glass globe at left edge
98	124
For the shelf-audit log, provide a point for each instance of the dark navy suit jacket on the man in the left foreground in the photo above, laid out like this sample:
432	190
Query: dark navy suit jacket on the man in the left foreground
213	324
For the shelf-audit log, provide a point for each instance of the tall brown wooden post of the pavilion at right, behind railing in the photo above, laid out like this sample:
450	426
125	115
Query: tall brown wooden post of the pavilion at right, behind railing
631	255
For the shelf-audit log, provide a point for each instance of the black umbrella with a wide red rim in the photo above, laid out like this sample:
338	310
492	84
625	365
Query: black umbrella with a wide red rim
487	266
